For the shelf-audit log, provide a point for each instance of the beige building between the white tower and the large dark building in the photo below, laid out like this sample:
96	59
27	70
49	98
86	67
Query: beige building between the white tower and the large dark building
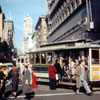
41	31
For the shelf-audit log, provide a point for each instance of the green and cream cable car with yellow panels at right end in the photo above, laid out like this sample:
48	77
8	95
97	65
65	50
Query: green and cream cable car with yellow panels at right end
41	57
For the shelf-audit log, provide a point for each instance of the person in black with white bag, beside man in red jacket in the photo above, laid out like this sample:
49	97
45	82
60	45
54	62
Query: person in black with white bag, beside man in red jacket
59	72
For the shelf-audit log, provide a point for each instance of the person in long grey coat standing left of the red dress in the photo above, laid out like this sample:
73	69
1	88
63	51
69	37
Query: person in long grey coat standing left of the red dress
26	82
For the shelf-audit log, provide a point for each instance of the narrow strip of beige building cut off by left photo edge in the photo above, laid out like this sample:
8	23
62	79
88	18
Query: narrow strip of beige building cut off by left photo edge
2	17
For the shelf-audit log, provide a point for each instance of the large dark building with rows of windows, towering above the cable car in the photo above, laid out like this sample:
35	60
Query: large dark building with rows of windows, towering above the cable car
73	19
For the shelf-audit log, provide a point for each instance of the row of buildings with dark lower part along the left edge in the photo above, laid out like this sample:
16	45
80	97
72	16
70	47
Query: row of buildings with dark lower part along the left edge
7	43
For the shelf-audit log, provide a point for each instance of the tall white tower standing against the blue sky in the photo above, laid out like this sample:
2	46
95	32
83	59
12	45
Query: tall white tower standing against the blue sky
27	33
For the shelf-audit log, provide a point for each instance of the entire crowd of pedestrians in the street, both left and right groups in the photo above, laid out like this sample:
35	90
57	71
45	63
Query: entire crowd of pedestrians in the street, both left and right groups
77	69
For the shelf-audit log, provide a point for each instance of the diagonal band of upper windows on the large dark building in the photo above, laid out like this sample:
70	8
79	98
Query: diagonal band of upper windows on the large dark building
63	12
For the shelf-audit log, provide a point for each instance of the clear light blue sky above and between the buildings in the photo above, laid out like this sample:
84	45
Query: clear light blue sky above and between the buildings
20	9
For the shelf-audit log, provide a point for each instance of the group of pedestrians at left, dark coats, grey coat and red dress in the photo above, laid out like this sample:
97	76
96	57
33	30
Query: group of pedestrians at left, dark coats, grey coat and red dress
26	77
